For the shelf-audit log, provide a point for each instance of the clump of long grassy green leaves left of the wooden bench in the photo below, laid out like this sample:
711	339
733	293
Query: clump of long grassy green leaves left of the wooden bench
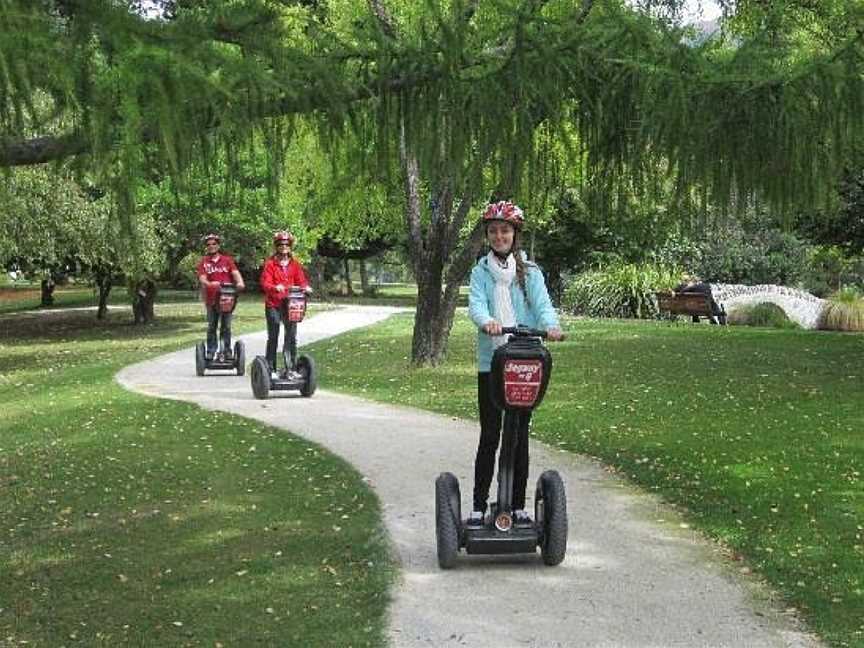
620	290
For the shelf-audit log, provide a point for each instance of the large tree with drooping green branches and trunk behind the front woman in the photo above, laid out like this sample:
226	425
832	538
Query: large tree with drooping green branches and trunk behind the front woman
451	91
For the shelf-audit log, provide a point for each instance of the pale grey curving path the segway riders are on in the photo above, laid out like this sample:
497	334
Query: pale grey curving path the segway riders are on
633	576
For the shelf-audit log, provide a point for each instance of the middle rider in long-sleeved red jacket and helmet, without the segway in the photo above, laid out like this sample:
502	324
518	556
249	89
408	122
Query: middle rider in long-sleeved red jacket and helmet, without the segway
281	273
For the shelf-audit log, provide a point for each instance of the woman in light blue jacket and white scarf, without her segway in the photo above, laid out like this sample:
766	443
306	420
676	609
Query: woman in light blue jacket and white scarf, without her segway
506	290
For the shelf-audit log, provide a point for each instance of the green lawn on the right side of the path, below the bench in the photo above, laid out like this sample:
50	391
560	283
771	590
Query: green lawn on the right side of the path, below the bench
757	433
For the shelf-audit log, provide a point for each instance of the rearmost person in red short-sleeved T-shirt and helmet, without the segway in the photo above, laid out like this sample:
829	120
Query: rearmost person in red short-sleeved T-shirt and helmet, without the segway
214	269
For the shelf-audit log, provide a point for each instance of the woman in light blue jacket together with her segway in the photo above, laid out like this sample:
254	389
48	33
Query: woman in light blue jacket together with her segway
511	308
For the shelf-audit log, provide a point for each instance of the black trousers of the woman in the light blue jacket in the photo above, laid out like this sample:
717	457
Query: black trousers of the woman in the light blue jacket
490	438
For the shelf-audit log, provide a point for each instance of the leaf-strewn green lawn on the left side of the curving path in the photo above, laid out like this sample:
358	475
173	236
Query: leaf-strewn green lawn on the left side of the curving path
127	520
